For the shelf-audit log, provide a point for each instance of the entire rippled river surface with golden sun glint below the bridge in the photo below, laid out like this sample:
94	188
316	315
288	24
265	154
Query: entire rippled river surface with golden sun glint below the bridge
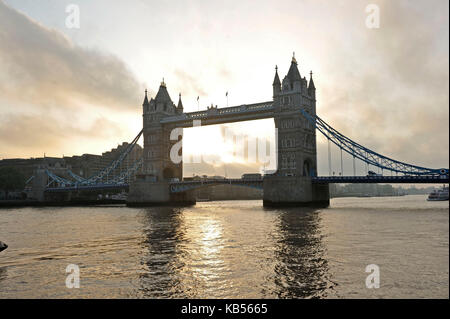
229	249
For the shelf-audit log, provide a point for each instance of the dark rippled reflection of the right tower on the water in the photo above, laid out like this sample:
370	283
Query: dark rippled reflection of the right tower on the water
301	270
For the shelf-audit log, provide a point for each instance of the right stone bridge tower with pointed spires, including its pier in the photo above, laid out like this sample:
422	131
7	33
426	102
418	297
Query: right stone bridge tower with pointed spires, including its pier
296	144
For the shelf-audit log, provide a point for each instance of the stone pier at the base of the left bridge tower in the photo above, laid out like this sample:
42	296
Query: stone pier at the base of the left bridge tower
144	192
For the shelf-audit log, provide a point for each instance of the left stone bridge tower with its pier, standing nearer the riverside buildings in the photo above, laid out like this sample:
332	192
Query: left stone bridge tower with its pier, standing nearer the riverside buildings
152	186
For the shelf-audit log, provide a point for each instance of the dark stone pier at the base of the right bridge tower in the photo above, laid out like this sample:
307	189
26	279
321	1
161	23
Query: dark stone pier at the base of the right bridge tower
282	191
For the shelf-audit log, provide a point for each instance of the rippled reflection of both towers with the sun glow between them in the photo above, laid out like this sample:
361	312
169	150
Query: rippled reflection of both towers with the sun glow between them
205	253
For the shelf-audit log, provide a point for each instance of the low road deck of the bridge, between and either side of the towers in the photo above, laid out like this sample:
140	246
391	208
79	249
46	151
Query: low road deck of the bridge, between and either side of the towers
182	186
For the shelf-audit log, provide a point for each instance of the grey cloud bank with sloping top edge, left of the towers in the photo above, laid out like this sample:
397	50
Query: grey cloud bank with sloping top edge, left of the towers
43	67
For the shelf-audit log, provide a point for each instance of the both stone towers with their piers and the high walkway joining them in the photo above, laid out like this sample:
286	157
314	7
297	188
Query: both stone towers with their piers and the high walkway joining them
296	156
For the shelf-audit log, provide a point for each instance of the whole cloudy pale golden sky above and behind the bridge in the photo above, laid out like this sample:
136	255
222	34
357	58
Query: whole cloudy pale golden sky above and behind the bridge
69	91
